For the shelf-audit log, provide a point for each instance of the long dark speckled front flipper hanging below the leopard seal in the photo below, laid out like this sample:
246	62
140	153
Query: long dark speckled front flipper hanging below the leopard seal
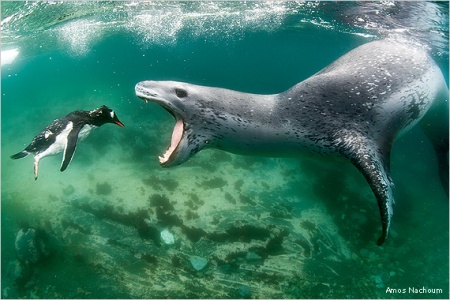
374	165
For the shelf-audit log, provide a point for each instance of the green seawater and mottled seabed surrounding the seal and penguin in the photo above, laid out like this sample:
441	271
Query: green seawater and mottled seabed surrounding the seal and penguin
116	224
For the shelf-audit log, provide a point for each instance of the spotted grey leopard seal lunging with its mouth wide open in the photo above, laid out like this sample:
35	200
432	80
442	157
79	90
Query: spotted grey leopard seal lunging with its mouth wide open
354	108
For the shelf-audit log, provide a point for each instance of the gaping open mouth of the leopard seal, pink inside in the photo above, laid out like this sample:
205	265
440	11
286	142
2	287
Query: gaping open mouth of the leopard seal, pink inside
178	130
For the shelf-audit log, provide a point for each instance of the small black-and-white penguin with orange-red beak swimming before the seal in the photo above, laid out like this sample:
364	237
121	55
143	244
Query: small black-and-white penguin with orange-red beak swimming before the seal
63	134
